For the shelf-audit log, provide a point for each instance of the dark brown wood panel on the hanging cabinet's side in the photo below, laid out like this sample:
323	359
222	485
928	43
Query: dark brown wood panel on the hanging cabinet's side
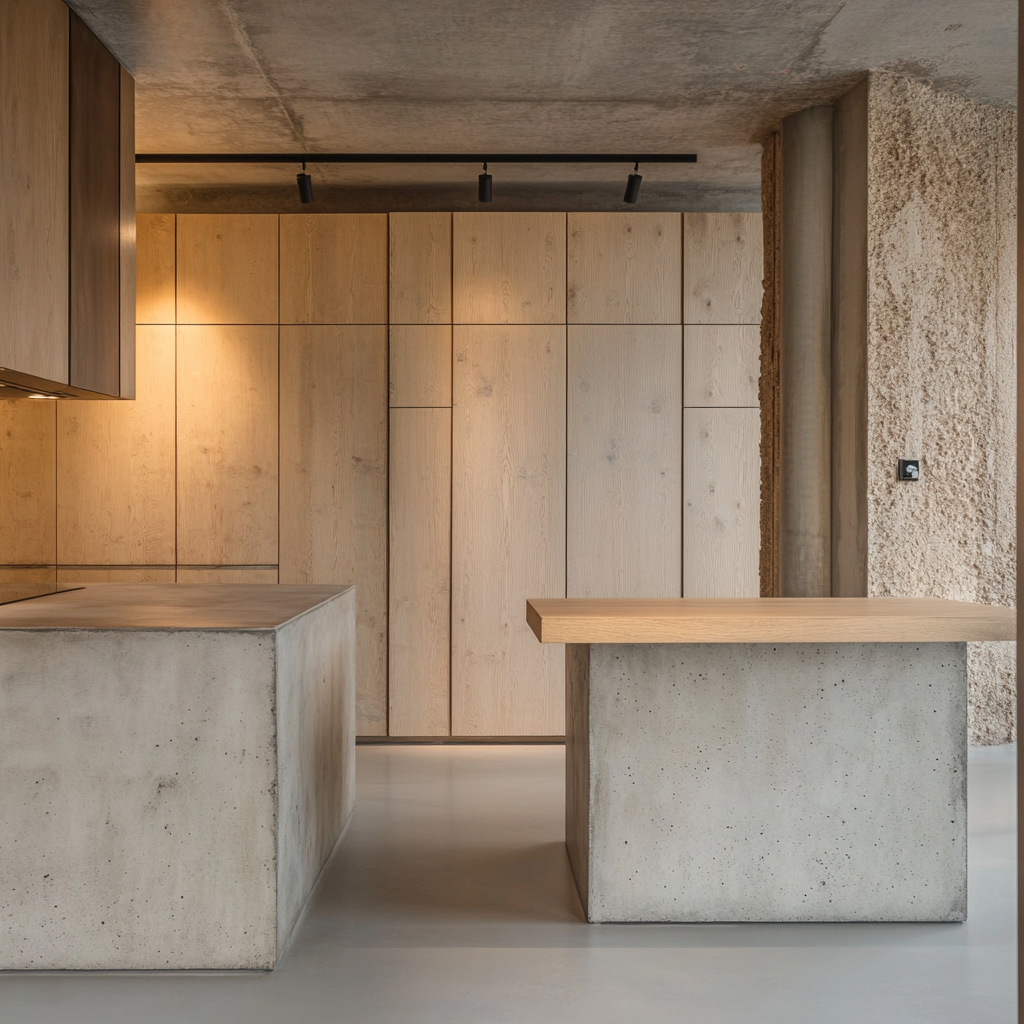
95	203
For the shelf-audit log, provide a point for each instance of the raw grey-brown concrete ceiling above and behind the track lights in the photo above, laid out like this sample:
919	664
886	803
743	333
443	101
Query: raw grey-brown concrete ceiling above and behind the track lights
527	75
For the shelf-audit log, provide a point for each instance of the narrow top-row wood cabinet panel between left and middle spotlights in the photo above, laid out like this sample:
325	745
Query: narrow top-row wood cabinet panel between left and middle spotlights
421	268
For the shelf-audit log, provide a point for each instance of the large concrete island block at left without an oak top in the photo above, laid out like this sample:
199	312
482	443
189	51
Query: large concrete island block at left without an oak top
177	765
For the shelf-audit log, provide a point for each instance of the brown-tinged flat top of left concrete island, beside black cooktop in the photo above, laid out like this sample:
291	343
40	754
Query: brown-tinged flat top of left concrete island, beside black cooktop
166	607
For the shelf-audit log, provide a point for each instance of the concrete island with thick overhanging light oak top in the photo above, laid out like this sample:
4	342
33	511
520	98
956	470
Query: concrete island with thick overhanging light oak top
776	760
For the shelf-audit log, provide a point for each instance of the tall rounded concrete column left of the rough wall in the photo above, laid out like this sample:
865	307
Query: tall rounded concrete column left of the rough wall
805	355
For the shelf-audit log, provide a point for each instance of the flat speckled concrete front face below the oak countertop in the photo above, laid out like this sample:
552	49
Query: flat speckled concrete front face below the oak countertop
778	783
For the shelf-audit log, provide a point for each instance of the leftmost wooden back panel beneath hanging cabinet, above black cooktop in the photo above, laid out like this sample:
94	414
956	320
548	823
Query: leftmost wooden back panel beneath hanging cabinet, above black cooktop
28	483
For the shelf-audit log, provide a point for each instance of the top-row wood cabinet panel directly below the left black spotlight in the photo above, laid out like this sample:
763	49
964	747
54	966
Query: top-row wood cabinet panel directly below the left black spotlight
334	269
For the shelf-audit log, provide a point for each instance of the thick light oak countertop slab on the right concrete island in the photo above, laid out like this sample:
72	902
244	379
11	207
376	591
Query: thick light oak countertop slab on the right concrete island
771	620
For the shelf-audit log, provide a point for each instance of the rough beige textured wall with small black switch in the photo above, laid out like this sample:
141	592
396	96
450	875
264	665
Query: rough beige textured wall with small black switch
942	364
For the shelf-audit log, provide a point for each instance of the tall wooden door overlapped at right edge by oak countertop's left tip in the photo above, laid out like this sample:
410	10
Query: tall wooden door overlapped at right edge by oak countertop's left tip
508	528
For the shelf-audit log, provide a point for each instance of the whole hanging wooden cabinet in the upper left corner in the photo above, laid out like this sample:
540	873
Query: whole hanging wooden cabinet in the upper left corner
67	208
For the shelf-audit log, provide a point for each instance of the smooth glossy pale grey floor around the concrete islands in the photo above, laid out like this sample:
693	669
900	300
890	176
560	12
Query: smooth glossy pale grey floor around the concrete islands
451	902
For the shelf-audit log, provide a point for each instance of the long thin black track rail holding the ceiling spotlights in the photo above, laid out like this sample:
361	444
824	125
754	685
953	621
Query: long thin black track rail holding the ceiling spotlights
415	158
